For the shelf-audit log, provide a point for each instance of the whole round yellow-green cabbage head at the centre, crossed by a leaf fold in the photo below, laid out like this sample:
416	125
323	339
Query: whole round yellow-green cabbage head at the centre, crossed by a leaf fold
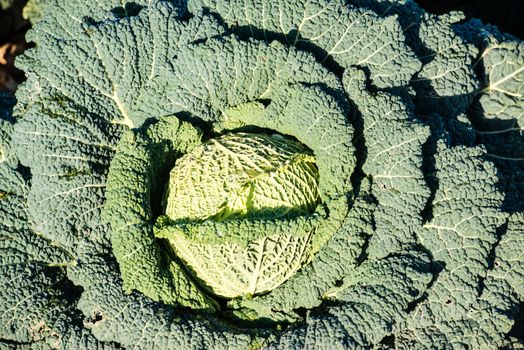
224	202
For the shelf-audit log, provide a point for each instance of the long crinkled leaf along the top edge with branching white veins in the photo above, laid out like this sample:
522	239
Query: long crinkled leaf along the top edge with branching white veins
332	30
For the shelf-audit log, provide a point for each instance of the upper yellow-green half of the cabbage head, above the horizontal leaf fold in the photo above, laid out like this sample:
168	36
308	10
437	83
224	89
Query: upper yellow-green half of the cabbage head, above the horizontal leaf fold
243	175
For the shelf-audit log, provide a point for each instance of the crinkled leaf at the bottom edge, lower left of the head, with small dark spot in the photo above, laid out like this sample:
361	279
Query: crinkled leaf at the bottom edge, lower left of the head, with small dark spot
136	321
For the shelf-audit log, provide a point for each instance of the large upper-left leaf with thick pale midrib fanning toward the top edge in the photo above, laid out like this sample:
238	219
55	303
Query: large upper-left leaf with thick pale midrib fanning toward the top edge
110	65
